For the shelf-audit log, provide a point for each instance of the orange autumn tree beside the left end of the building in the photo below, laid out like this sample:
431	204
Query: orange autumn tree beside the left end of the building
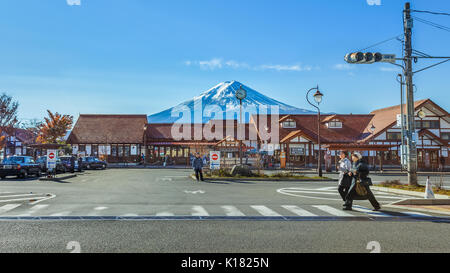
54	128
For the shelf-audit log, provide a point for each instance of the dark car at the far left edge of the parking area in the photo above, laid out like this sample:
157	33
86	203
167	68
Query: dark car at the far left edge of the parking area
20	166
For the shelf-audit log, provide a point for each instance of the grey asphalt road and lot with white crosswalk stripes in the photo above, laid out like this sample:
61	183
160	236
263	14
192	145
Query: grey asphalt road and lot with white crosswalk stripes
158	210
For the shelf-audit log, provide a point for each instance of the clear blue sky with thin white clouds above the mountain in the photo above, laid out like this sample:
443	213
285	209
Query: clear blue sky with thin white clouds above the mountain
143	56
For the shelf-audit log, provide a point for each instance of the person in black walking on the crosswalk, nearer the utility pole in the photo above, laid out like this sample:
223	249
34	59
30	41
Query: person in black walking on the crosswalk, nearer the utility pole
359	172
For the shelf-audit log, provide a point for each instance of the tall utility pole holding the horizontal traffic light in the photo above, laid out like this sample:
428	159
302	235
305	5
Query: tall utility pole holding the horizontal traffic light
410	111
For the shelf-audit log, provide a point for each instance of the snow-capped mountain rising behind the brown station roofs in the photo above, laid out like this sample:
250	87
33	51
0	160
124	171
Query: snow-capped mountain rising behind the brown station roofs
224	96
